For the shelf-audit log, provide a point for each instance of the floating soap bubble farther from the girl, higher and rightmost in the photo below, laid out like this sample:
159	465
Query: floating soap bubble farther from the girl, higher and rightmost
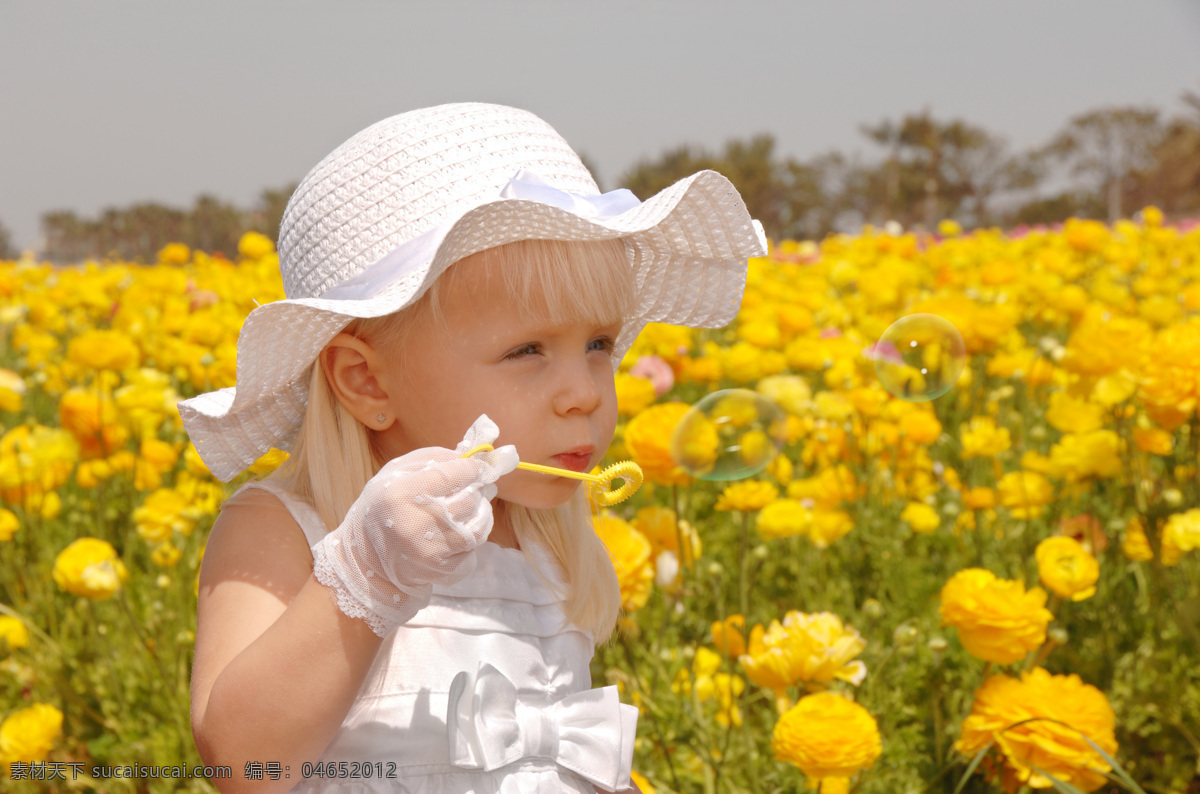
920	358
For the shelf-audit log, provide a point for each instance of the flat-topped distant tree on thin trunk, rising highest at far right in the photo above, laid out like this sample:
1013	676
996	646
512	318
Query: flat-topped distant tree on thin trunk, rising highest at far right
1106	148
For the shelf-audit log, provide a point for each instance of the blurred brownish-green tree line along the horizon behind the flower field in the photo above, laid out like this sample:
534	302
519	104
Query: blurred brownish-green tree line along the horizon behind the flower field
1103	165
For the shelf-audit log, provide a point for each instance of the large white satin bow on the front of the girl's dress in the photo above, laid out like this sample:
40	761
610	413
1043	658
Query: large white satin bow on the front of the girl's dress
590	733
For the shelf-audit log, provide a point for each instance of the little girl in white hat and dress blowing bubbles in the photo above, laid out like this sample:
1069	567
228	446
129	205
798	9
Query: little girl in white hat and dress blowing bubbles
383	613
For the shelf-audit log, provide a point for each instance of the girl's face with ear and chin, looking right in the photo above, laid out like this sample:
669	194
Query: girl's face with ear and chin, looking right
550	390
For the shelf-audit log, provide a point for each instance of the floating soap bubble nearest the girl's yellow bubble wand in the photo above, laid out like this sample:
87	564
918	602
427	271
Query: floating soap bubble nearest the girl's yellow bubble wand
729	435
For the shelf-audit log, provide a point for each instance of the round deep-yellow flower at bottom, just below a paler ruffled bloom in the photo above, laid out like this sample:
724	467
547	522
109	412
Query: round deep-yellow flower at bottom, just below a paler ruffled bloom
827	736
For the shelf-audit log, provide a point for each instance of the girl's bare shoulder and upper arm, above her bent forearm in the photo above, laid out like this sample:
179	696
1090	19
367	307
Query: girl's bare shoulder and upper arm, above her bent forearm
256	562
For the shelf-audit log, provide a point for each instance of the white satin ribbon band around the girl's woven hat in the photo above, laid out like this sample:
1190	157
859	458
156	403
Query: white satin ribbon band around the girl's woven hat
419	251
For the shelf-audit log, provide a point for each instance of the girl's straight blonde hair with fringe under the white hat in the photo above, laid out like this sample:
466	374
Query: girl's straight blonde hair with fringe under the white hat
561	282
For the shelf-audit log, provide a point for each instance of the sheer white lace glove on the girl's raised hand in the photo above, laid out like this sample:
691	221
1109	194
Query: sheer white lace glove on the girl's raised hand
416	524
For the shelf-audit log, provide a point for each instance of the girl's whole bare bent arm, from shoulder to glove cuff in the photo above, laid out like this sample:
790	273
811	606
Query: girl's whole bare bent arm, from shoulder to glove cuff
278	665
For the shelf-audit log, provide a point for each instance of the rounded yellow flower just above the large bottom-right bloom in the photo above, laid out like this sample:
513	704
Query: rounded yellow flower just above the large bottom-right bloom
998	621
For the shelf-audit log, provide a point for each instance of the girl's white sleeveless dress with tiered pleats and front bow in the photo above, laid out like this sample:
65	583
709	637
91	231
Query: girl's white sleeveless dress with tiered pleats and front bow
526	719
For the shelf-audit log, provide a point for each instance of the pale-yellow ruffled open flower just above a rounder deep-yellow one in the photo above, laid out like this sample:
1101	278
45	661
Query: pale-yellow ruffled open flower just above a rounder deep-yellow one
806	648
